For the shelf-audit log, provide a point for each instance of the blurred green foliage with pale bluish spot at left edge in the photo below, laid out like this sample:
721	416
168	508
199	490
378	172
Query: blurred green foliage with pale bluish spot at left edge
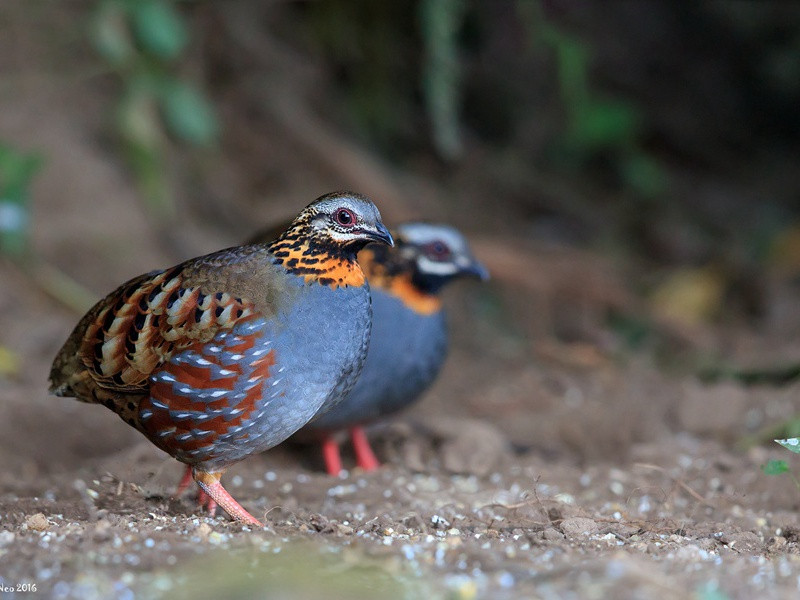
17	170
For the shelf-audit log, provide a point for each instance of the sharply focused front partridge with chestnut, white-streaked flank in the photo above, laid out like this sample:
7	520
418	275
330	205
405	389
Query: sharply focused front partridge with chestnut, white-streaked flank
228	354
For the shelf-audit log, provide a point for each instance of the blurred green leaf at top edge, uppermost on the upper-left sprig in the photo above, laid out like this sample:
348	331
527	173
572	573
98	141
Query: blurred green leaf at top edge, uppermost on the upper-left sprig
159	28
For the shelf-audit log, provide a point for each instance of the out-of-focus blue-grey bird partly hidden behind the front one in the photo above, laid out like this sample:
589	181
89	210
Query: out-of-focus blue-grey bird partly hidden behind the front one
409	338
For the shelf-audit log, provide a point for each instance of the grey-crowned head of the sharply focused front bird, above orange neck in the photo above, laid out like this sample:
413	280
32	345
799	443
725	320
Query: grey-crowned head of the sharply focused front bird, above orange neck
343	220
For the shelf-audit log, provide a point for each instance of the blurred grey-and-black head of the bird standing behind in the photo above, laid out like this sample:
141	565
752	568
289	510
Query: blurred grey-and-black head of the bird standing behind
440	253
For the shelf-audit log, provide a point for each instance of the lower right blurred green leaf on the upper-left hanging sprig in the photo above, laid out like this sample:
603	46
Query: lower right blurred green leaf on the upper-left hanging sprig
187	113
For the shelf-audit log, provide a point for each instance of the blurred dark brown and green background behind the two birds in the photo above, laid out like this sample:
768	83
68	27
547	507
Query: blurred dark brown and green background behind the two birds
628	170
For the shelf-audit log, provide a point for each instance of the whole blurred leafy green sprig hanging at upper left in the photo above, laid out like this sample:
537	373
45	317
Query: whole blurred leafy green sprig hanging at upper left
142	40
